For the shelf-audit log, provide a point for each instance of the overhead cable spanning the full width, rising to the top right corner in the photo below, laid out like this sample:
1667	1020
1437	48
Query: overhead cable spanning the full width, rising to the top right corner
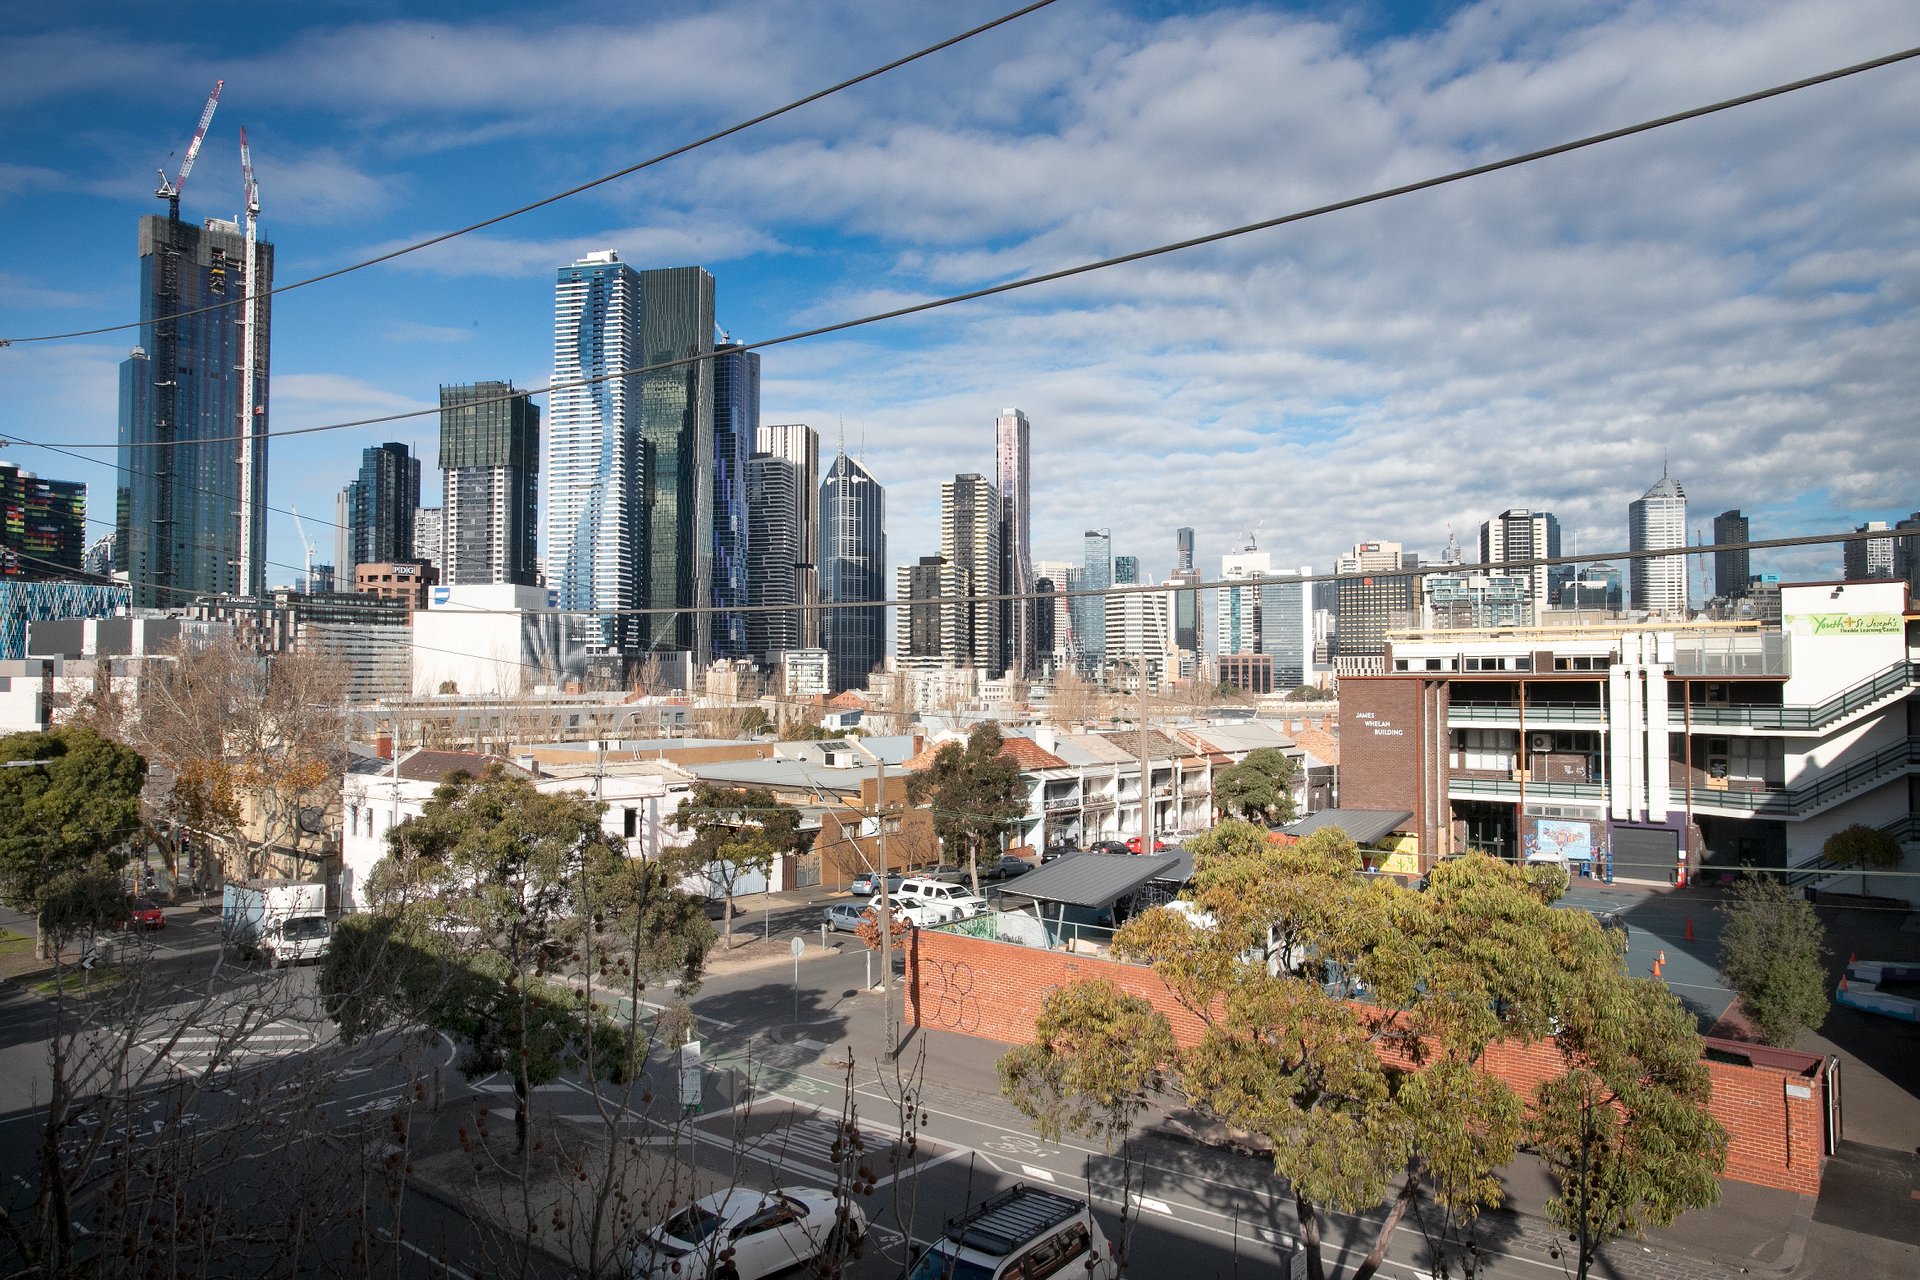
1067	273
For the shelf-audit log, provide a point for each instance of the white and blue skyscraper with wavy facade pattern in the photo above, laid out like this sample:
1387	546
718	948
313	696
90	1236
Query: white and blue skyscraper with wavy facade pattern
594	456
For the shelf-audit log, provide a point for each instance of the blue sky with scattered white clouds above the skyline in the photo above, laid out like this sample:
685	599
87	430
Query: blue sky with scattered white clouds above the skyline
1735	298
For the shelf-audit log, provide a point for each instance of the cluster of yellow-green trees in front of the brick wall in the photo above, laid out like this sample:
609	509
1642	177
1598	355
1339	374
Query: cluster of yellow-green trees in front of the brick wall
1387	1101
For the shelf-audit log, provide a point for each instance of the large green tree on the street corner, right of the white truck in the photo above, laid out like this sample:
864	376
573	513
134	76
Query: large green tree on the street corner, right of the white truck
492	916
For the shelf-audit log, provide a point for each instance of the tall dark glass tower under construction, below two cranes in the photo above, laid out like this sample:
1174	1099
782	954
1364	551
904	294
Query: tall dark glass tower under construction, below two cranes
185	485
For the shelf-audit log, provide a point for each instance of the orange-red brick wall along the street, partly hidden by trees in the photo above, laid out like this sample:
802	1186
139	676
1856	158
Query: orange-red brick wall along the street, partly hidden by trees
996	991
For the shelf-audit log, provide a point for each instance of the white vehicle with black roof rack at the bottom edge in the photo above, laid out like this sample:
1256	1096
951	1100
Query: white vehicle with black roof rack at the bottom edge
1024	1233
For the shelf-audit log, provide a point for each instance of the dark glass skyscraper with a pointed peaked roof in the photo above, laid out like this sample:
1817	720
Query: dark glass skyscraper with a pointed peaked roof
853	567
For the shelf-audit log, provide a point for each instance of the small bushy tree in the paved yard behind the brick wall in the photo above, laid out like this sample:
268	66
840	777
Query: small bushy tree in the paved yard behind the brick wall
1773	957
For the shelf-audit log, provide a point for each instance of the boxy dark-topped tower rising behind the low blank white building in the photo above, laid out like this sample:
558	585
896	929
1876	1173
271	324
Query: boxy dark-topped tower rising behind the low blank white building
491	463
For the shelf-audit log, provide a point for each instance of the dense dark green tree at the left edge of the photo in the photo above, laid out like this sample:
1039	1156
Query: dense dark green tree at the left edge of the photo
60	818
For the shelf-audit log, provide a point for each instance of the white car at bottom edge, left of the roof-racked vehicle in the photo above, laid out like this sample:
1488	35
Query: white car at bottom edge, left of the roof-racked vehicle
744	1233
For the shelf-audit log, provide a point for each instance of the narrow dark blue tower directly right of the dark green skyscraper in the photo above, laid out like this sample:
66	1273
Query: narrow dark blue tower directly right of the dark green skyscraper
731	575
